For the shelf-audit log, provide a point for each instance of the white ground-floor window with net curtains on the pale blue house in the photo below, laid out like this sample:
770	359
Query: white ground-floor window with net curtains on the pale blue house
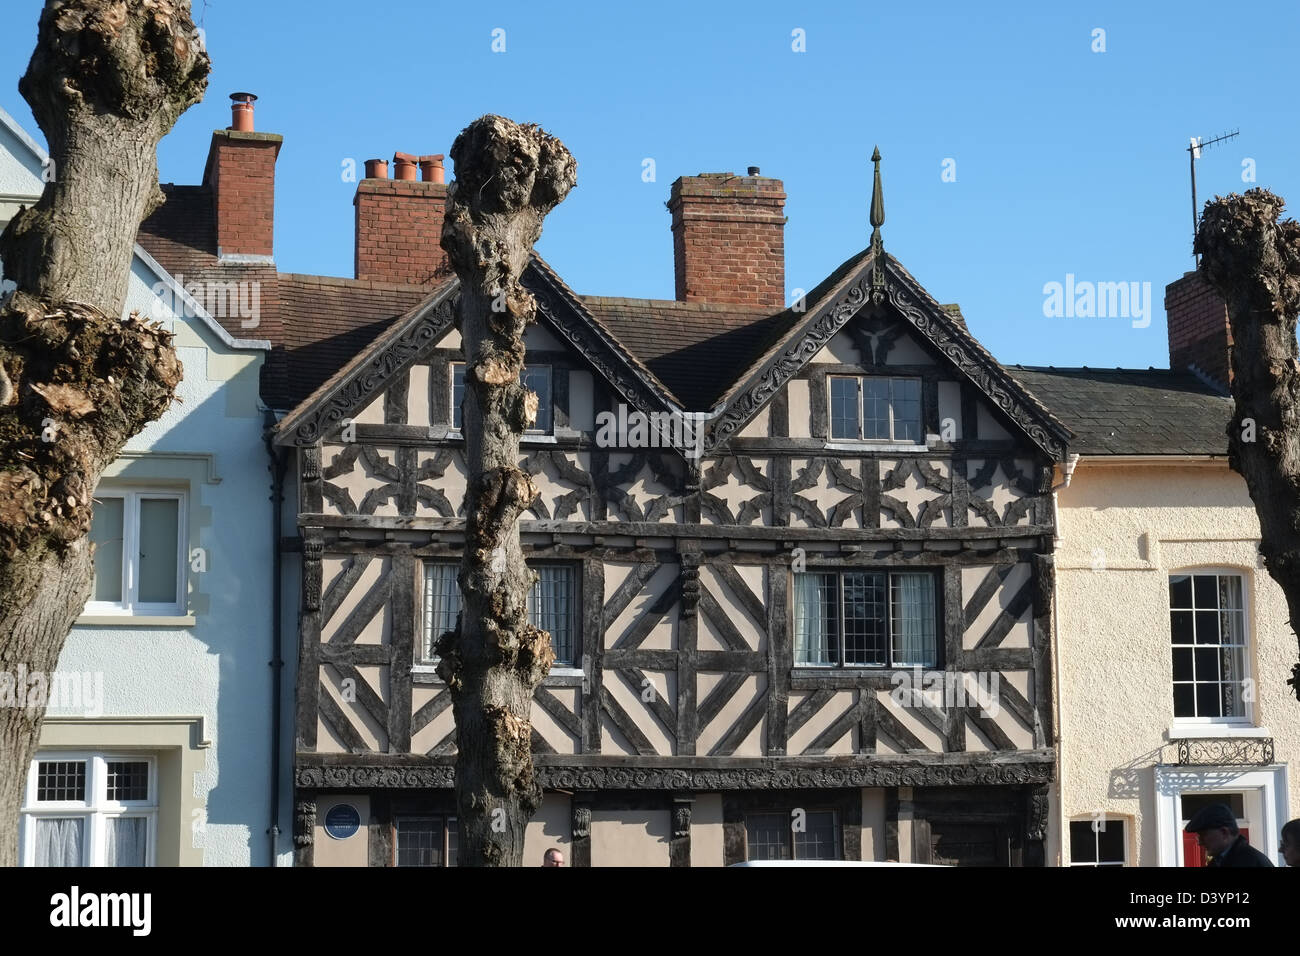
90	810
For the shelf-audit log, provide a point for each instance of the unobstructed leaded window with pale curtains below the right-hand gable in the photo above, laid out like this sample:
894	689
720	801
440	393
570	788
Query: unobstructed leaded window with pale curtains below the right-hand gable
866	618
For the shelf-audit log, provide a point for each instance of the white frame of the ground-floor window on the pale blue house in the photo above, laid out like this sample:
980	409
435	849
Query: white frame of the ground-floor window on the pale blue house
96	810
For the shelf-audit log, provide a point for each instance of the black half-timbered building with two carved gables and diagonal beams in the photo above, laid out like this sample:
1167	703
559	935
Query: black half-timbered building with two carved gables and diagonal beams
821	631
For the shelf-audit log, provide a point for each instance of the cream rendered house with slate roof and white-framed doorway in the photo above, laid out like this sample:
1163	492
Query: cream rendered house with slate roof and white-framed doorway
1173	643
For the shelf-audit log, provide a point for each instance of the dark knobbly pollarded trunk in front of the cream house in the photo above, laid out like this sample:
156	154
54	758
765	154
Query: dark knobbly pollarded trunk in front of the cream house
1254	262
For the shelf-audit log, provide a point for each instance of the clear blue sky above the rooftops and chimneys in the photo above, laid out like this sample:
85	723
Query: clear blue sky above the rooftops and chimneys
1067	161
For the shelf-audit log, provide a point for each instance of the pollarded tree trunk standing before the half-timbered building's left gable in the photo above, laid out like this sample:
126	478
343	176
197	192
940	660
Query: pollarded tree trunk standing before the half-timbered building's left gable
508	179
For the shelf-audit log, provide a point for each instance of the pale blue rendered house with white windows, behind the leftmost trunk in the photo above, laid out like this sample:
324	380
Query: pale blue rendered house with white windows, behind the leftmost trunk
179	638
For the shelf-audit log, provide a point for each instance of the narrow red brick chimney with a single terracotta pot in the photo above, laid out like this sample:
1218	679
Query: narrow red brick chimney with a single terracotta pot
242	176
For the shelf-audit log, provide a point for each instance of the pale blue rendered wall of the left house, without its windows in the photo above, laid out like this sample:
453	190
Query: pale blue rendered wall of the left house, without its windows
219	667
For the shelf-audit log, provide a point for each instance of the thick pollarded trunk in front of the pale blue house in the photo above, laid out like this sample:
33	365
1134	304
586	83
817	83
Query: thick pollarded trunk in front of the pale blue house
107	81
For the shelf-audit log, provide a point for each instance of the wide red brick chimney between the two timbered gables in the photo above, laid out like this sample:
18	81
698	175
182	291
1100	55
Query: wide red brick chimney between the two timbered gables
729	239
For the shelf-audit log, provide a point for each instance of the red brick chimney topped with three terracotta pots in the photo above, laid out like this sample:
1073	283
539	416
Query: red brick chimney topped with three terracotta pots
400	222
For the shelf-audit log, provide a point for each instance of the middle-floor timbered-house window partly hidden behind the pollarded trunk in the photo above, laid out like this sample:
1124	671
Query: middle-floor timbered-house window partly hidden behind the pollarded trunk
553	605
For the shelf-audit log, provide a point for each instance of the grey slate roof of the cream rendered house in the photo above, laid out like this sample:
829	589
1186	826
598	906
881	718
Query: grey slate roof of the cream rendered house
1133	412
